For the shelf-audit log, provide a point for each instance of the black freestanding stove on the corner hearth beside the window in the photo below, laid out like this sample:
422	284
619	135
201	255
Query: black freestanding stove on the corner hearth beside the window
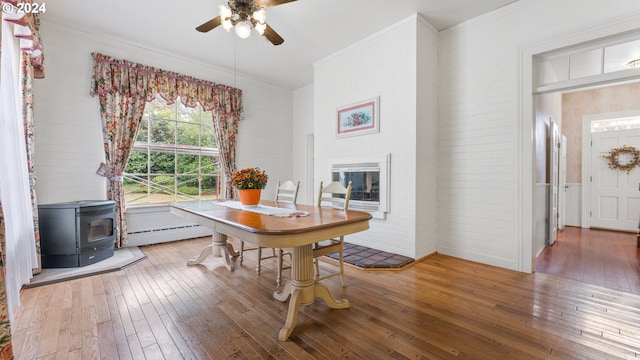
76	233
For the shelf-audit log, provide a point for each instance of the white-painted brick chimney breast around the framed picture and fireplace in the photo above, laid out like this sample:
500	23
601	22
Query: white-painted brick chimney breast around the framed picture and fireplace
386	65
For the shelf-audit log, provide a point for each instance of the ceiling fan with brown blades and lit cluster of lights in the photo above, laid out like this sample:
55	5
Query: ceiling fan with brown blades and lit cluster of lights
244	15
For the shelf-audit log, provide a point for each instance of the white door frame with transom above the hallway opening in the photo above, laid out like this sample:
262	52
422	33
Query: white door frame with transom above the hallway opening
548	68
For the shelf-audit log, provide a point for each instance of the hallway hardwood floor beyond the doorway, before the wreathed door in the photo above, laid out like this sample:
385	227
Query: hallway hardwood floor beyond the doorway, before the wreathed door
601	257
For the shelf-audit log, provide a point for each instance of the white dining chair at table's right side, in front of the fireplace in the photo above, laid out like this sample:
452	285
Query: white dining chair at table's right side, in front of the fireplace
334	195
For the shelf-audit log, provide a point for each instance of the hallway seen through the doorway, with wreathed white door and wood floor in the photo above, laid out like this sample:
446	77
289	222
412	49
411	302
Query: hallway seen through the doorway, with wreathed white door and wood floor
585	249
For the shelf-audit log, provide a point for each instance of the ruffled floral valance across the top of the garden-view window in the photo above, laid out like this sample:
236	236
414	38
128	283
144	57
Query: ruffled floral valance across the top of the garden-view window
132	79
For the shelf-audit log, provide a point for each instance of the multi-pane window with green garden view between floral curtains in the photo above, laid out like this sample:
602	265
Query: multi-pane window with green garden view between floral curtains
175	156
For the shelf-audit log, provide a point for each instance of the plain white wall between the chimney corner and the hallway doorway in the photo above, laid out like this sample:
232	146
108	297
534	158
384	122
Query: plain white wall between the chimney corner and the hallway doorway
480	181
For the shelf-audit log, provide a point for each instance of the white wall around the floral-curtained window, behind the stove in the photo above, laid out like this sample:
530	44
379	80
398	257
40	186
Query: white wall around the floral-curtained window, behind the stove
67	121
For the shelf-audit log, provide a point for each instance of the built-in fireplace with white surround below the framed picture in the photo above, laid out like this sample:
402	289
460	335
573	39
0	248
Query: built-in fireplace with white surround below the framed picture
370	182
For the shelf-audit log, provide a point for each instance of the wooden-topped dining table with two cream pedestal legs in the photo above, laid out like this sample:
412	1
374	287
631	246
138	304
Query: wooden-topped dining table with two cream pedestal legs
271	224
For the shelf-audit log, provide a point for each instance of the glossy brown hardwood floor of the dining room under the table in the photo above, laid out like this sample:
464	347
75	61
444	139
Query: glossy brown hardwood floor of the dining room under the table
440	308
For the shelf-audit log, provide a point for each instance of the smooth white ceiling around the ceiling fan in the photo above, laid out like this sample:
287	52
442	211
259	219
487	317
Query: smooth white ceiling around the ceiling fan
312	29
